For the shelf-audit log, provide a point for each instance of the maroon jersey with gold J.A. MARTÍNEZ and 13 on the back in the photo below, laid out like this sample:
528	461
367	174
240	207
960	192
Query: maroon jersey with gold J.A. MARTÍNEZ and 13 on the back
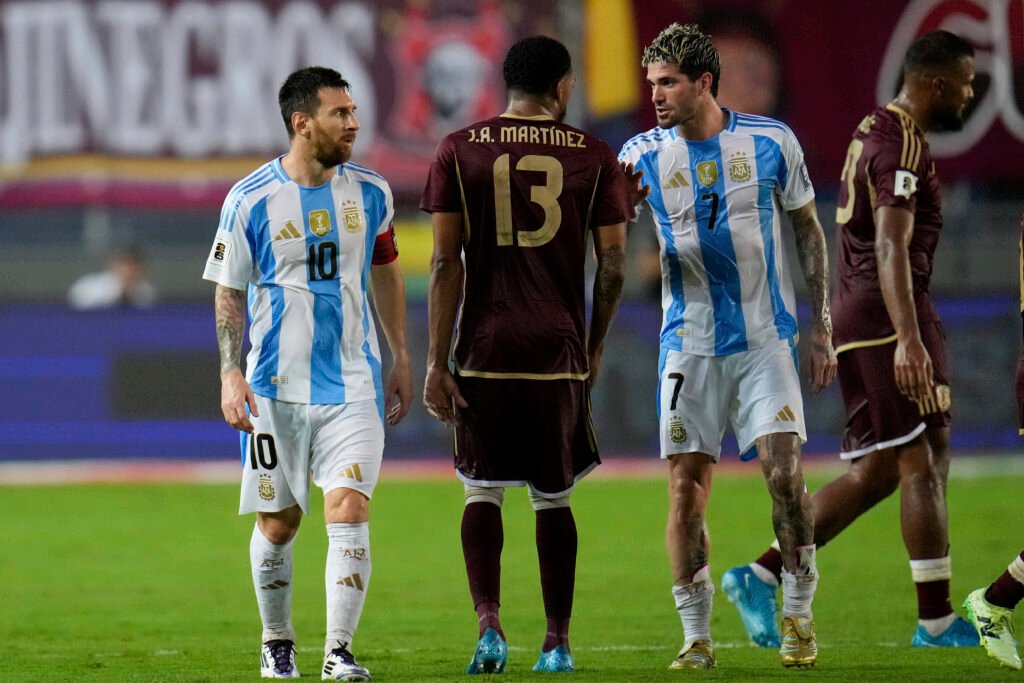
530	191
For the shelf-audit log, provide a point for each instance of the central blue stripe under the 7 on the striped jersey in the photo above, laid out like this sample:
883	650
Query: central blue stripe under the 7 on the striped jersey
717	251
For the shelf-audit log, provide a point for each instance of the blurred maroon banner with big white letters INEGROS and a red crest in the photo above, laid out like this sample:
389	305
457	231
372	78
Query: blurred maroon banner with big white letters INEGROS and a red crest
163	104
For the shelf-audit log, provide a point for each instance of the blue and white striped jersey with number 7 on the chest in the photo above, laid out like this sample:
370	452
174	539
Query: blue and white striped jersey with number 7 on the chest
717	206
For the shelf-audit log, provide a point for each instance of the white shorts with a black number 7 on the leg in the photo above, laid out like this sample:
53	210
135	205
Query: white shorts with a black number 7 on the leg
758	392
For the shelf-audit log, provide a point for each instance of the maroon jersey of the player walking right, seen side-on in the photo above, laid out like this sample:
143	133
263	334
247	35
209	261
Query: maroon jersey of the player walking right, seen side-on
888	163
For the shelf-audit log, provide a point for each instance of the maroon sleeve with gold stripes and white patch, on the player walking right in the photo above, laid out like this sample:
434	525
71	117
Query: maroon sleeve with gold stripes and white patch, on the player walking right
893	167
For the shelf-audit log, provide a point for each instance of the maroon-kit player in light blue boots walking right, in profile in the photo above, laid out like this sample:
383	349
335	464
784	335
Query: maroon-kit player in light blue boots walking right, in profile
893	367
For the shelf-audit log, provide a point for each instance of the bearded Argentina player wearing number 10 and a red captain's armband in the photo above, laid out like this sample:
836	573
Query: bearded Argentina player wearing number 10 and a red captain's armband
300	242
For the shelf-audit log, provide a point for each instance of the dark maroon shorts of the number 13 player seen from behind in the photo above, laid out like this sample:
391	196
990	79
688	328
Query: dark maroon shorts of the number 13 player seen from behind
525	432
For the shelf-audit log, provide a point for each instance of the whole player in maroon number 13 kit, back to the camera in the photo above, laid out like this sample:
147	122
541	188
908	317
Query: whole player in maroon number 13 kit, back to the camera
518	197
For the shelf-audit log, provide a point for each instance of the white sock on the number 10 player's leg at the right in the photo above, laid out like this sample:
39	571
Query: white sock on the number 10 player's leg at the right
347	577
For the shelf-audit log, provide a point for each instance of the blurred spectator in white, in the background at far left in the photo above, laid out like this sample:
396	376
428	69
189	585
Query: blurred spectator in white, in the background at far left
122	284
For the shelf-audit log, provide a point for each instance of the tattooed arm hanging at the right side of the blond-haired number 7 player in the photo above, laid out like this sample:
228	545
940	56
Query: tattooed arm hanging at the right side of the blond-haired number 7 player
813	249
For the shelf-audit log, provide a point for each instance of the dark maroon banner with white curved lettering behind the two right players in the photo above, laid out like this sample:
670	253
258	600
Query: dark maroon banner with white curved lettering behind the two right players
837	61
